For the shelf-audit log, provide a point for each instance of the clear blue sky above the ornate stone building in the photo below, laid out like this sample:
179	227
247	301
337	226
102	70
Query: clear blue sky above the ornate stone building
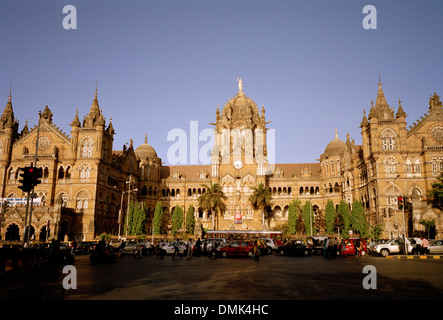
163	63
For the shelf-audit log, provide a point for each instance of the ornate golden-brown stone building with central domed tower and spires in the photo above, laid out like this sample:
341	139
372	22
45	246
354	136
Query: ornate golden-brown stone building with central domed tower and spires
85	182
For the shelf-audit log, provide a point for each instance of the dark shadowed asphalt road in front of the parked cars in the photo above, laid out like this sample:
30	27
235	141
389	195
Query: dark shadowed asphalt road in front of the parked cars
270	278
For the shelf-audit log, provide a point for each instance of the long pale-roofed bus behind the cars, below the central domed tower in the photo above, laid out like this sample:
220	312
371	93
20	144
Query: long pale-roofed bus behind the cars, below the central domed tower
277	236
